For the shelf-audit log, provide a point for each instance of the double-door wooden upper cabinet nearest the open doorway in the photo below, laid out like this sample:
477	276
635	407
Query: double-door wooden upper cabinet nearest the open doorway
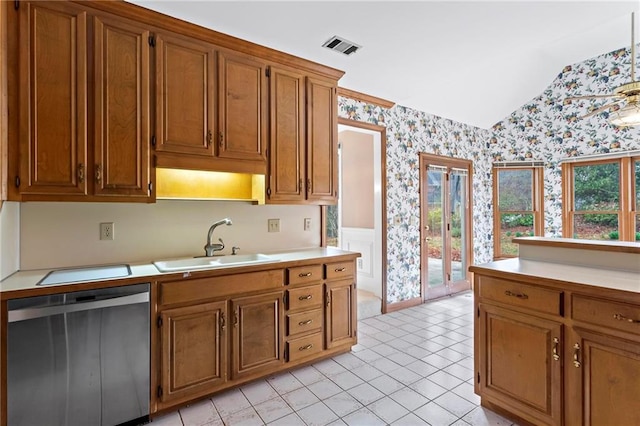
303	163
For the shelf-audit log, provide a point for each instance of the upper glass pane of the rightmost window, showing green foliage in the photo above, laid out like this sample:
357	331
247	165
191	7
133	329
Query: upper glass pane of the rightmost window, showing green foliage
597	187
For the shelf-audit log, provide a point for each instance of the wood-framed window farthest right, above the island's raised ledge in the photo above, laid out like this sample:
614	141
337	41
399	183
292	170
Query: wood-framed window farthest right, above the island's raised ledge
601	199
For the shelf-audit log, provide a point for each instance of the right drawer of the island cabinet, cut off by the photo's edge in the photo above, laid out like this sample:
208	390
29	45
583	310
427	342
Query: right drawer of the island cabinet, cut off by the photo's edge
605	313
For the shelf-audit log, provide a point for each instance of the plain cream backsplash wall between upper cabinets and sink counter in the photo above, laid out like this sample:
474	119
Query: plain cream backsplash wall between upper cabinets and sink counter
54	235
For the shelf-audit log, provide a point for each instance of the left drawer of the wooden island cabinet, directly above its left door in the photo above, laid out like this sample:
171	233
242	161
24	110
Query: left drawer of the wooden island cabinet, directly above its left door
522	295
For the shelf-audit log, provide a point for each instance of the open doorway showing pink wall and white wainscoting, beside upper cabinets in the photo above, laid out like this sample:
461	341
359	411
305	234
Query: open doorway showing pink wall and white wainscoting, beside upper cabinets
356	223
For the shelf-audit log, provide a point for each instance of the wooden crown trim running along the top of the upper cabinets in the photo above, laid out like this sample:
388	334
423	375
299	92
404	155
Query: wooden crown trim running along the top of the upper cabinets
169	23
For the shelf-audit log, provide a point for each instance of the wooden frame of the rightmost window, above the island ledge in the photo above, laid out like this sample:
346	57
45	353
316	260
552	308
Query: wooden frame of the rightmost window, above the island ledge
626	207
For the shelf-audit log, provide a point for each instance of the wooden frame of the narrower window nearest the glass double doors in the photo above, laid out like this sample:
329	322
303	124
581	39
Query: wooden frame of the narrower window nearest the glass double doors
537	202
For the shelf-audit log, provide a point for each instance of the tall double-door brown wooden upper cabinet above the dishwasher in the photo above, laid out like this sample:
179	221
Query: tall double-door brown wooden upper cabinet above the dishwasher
65	150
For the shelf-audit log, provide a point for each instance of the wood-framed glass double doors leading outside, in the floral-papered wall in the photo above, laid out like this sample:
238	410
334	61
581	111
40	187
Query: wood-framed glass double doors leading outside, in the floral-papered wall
445	216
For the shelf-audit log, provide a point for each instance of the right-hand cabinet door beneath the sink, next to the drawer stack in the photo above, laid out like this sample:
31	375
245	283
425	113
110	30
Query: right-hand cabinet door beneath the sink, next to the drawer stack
257	334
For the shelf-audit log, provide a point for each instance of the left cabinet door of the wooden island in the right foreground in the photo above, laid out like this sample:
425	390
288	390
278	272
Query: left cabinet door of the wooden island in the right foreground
520	364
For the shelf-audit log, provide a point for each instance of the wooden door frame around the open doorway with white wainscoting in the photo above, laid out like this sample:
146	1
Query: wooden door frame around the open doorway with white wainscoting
383	200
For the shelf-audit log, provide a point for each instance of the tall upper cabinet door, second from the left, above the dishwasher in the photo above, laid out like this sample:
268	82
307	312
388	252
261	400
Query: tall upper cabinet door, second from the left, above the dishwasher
121	108
